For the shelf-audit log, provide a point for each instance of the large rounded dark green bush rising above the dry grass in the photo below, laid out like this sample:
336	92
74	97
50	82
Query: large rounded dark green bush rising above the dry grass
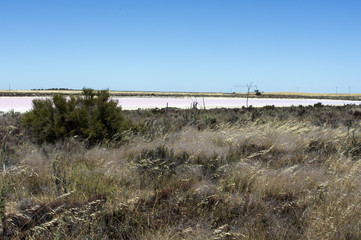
92	117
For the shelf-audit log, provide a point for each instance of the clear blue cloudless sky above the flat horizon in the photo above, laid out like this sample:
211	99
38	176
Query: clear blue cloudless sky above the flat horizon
181	45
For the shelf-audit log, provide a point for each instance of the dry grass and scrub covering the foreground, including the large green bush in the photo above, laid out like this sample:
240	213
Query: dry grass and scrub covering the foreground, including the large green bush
248	173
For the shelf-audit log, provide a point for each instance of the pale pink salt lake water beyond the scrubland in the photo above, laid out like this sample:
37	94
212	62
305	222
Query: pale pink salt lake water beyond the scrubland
23	104
